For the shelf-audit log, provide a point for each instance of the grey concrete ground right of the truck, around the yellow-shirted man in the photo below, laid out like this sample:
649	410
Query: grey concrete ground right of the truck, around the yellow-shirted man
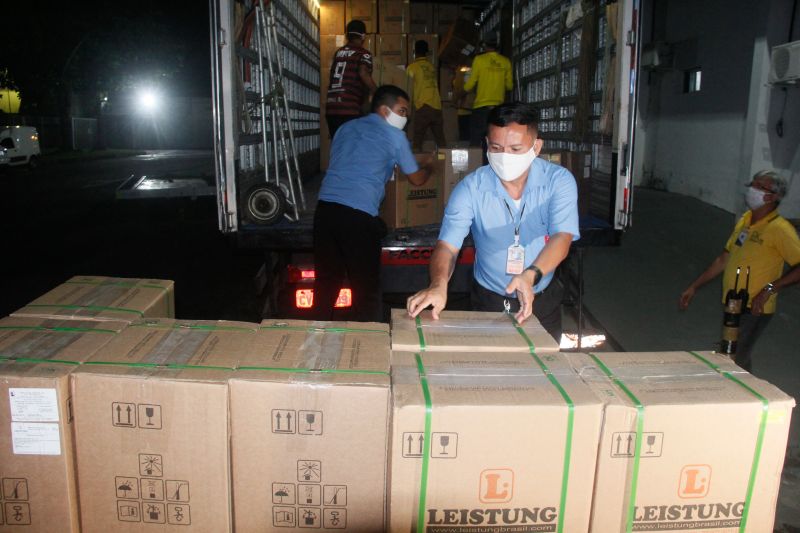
633	291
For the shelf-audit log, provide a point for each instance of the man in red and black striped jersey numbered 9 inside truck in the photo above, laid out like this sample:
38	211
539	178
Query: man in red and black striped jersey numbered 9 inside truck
350	79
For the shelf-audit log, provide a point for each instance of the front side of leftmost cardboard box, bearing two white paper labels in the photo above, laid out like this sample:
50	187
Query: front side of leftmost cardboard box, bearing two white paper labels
37	462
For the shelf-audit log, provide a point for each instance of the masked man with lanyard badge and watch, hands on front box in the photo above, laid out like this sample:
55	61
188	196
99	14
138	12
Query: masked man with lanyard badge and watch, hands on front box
523	215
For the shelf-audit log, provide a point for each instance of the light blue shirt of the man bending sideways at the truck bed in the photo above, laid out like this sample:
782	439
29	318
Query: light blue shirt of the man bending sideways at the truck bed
363	155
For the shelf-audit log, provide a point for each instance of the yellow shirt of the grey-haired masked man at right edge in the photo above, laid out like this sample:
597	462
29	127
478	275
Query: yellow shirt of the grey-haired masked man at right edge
764	246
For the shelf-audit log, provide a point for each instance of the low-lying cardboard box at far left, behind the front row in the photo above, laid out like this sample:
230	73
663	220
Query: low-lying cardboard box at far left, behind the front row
104	298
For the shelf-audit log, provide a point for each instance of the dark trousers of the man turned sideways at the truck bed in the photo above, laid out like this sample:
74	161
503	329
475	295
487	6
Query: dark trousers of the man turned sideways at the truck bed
347	248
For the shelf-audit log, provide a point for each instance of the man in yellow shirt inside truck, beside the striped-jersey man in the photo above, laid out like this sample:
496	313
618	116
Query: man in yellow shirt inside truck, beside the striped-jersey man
425	97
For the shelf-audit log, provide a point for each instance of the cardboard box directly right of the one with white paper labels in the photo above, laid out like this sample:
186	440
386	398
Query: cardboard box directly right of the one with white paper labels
151	427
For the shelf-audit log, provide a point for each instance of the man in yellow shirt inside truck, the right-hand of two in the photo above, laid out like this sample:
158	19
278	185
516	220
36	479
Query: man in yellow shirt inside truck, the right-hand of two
491	73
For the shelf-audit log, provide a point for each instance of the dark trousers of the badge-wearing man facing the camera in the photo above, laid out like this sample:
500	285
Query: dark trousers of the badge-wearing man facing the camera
546	305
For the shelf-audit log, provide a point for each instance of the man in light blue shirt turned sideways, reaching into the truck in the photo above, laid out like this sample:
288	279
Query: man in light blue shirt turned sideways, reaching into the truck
347	230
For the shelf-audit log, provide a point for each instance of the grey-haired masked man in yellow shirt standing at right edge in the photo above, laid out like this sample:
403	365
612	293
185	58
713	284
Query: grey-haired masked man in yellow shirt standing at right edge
763	241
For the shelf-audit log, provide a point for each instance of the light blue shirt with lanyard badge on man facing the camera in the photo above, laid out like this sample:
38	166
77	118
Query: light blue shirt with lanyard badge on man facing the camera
478	204
